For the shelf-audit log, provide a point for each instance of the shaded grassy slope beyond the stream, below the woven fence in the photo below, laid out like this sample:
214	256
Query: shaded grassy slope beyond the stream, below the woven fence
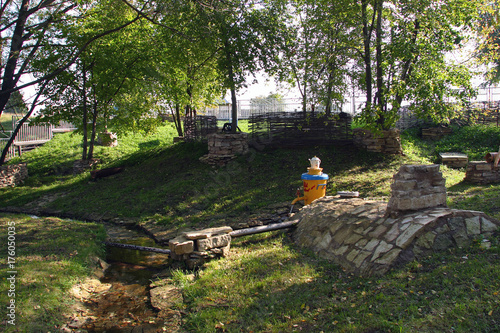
168	183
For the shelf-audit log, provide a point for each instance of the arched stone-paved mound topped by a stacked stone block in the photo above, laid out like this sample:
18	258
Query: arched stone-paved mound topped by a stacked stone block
360	236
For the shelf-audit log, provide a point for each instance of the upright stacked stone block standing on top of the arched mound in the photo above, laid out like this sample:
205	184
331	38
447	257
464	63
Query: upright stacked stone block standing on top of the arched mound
417	187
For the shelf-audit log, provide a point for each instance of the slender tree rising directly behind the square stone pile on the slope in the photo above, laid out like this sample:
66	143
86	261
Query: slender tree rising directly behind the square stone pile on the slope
243	33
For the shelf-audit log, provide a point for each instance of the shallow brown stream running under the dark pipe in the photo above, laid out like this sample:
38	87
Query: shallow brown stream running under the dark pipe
125	306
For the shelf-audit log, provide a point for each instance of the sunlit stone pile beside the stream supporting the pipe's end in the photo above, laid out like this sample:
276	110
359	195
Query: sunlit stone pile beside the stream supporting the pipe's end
195	247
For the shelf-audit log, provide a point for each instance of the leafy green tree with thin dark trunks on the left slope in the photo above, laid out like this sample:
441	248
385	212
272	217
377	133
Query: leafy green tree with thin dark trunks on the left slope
103	82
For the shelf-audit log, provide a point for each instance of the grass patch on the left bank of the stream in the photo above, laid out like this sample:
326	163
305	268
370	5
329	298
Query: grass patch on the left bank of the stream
51	255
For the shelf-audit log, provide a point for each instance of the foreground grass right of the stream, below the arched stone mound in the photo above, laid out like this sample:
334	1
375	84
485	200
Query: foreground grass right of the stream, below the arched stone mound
267	284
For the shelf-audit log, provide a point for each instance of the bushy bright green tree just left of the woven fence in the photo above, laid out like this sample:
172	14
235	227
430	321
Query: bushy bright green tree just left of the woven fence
186	73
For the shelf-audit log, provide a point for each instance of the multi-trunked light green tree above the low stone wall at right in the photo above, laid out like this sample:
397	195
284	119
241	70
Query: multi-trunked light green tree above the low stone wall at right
409	42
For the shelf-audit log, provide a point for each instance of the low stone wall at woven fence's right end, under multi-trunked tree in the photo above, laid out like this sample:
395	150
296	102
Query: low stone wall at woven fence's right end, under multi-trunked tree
388	142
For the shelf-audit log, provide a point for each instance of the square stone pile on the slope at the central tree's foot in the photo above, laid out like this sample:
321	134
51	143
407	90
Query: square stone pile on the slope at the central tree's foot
223	147
